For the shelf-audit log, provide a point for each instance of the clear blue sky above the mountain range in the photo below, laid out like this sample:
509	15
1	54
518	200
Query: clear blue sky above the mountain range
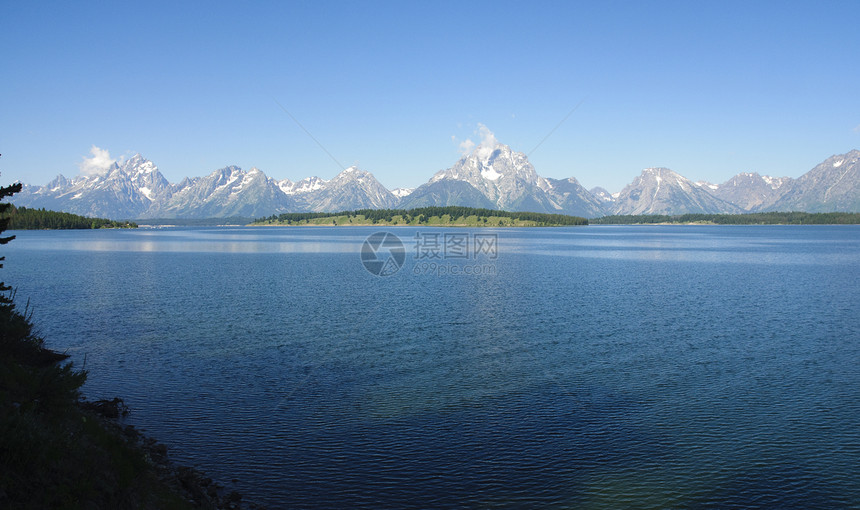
708	89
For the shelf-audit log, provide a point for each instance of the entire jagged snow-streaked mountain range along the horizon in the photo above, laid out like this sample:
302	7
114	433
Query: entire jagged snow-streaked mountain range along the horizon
492	176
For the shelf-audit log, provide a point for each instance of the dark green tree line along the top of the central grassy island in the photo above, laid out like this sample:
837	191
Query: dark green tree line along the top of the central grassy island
423	214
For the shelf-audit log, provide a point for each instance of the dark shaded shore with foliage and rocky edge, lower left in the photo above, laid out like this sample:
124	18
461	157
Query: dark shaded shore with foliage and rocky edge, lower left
59	451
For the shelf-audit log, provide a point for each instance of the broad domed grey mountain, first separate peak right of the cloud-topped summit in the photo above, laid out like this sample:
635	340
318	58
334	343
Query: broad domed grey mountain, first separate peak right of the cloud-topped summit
662	191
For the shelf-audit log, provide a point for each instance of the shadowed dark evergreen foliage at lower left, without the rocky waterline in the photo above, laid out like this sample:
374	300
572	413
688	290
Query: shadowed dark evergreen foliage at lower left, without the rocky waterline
53	454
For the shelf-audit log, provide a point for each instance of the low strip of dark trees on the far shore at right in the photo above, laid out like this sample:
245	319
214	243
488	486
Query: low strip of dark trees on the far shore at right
769	218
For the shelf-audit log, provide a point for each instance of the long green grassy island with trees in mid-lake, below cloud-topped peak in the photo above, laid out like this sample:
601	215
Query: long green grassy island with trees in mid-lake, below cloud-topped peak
452	216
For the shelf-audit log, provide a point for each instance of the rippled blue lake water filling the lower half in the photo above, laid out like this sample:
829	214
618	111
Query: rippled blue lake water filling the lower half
646	366
